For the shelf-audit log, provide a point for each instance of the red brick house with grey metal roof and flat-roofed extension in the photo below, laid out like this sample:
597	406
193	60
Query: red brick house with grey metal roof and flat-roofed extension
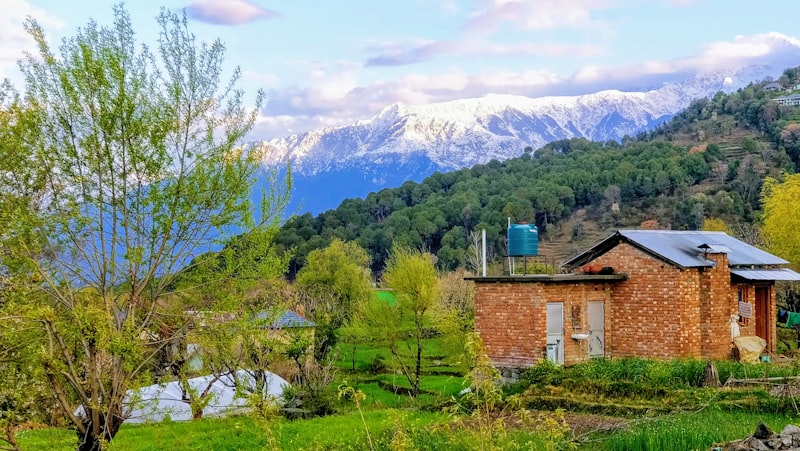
660	294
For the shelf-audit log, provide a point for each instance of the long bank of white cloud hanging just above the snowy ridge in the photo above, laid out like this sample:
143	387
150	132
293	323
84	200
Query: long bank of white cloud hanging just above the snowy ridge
334	96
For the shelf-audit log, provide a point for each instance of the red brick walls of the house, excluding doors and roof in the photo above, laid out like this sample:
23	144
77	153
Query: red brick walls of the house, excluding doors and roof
660	311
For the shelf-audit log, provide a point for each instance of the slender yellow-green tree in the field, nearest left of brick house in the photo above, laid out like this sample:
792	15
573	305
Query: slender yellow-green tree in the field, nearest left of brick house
402	327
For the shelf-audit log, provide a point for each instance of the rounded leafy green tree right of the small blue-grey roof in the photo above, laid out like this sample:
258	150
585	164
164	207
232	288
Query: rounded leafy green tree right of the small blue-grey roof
336	280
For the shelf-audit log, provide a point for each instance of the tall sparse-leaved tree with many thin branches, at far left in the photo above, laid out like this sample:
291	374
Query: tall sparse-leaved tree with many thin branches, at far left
139	169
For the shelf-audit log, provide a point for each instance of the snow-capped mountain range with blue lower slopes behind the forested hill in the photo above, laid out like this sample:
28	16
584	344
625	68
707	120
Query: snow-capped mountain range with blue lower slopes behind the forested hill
405	142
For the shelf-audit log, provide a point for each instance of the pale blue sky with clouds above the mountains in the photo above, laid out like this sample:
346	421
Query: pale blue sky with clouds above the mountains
325	63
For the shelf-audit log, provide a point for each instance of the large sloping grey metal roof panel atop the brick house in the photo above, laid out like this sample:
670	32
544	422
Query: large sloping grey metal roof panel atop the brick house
681	247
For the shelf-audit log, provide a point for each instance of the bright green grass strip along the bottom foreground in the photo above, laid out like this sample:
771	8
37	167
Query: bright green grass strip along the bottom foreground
391	427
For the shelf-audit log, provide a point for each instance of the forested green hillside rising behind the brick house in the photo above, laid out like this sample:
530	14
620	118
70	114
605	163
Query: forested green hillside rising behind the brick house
709	162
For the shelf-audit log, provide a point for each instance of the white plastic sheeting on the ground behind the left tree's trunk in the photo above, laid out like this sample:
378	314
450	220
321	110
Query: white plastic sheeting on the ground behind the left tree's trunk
155	403
